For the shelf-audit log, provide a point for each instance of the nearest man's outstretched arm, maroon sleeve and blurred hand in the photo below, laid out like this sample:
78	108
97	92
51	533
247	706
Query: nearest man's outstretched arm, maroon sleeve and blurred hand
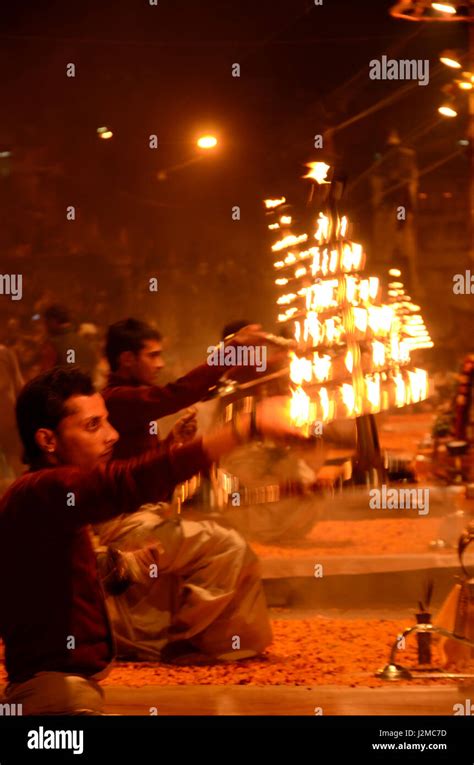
70	496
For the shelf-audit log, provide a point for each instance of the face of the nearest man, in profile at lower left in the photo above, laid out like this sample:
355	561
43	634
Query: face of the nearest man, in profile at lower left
85	436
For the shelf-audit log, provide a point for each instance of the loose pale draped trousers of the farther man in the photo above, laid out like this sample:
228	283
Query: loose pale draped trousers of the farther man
208	589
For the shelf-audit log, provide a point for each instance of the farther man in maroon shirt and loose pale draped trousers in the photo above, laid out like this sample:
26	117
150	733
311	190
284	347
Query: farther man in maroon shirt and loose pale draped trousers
143	617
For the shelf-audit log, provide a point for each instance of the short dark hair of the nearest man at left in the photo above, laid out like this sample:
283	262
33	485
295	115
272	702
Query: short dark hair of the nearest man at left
42	404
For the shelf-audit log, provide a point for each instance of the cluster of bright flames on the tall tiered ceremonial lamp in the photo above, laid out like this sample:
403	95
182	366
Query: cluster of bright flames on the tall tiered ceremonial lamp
353	354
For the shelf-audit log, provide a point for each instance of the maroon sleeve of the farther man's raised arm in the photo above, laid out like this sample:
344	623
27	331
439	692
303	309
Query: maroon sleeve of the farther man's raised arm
131	407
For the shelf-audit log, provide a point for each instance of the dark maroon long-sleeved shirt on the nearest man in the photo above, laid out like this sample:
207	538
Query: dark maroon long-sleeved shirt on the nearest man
50	593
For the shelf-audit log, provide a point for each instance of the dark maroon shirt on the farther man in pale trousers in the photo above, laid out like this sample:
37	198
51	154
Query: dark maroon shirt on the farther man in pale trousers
132	407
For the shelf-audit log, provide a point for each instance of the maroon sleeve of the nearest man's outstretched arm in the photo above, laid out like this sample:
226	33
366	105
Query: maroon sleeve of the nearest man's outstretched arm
70	496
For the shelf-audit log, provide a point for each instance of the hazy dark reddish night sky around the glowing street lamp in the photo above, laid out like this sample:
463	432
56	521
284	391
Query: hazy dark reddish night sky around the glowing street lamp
166	70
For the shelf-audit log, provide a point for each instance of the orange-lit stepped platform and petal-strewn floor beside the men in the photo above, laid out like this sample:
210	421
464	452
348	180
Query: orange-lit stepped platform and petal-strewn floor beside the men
338	599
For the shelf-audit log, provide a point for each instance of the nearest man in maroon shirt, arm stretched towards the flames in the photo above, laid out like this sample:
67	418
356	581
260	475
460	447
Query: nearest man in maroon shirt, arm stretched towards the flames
53	619
